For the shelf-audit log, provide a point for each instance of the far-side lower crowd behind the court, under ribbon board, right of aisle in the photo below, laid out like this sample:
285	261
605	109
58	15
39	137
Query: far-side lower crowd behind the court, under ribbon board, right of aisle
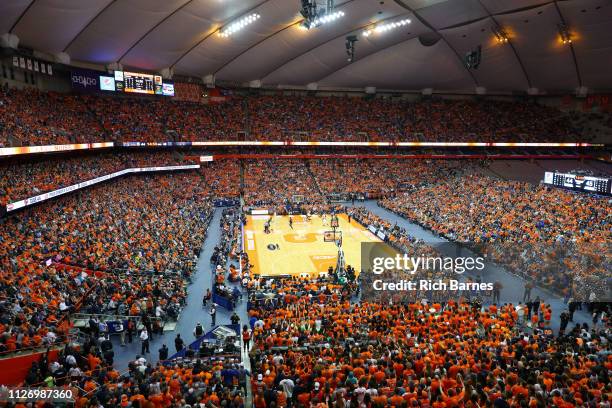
317	180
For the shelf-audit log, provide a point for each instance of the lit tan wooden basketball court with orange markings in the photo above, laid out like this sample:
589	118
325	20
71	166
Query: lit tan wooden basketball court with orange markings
301	250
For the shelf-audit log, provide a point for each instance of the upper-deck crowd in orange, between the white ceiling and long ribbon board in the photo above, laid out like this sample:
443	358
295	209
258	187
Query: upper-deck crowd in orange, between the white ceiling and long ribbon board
30	117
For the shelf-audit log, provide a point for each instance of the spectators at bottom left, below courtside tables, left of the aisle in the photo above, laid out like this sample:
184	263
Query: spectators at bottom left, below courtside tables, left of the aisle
88	371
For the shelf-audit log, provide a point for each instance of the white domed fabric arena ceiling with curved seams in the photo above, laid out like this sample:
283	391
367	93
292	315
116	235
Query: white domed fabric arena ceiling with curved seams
428	53
